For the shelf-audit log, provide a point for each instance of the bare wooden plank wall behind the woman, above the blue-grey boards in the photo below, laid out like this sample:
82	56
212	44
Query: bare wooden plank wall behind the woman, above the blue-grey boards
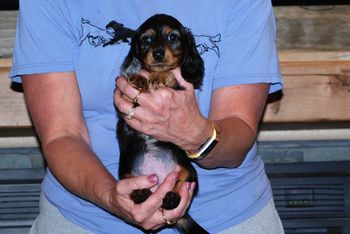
314	45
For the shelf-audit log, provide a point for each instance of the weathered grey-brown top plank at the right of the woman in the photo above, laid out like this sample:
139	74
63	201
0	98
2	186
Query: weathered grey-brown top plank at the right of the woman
317	28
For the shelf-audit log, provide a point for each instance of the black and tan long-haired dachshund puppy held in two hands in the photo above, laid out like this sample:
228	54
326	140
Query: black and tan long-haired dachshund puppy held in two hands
159	45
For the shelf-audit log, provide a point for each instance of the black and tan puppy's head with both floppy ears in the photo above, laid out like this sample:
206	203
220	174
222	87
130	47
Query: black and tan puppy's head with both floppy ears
161	43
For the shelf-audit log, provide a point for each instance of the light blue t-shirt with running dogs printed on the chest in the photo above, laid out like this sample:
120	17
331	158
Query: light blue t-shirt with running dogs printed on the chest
235	38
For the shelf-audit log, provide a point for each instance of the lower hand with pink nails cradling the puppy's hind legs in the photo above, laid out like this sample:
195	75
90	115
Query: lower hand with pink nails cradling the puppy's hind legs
148	214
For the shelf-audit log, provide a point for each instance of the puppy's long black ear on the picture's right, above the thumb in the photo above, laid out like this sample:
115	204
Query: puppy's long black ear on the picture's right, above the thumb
192	67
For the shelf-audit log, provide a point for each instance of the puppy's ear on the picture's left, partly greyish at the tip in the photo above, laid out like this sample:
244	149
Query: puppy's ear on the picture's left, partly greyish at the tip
132	64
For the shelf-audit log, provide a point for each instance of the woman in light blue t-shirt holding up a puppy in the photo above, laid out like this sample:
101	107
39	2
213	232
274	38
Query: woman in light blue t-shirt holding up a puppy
67	63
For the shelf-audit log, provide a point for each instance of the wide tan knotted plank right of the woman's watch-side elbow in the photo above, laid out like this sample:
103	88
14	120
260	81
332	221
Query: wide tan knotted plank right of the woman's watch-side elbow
313	92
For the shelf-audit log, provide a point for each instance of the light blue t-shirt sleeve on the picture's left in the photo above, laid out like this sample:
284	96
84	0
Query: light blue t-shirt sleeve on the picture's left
44	40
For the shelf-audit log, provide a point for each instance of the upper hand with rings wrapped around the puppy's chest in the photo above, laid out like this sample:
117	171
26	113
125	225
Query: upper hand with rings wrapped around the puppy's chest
165	114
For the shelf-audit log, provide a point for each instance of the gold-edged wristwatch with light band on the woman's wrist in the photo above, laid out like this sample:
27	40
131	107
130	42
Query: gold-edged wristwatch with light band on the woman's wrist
207	146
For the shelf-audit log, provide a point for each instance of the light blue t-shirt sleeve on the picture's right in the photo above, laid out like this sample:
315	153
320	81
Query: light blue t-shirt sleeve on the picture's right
249	53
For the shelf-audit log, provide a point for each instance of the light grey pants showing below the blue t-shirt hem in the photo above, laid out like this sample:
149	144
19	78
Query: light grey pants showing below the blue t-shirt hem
51	221
